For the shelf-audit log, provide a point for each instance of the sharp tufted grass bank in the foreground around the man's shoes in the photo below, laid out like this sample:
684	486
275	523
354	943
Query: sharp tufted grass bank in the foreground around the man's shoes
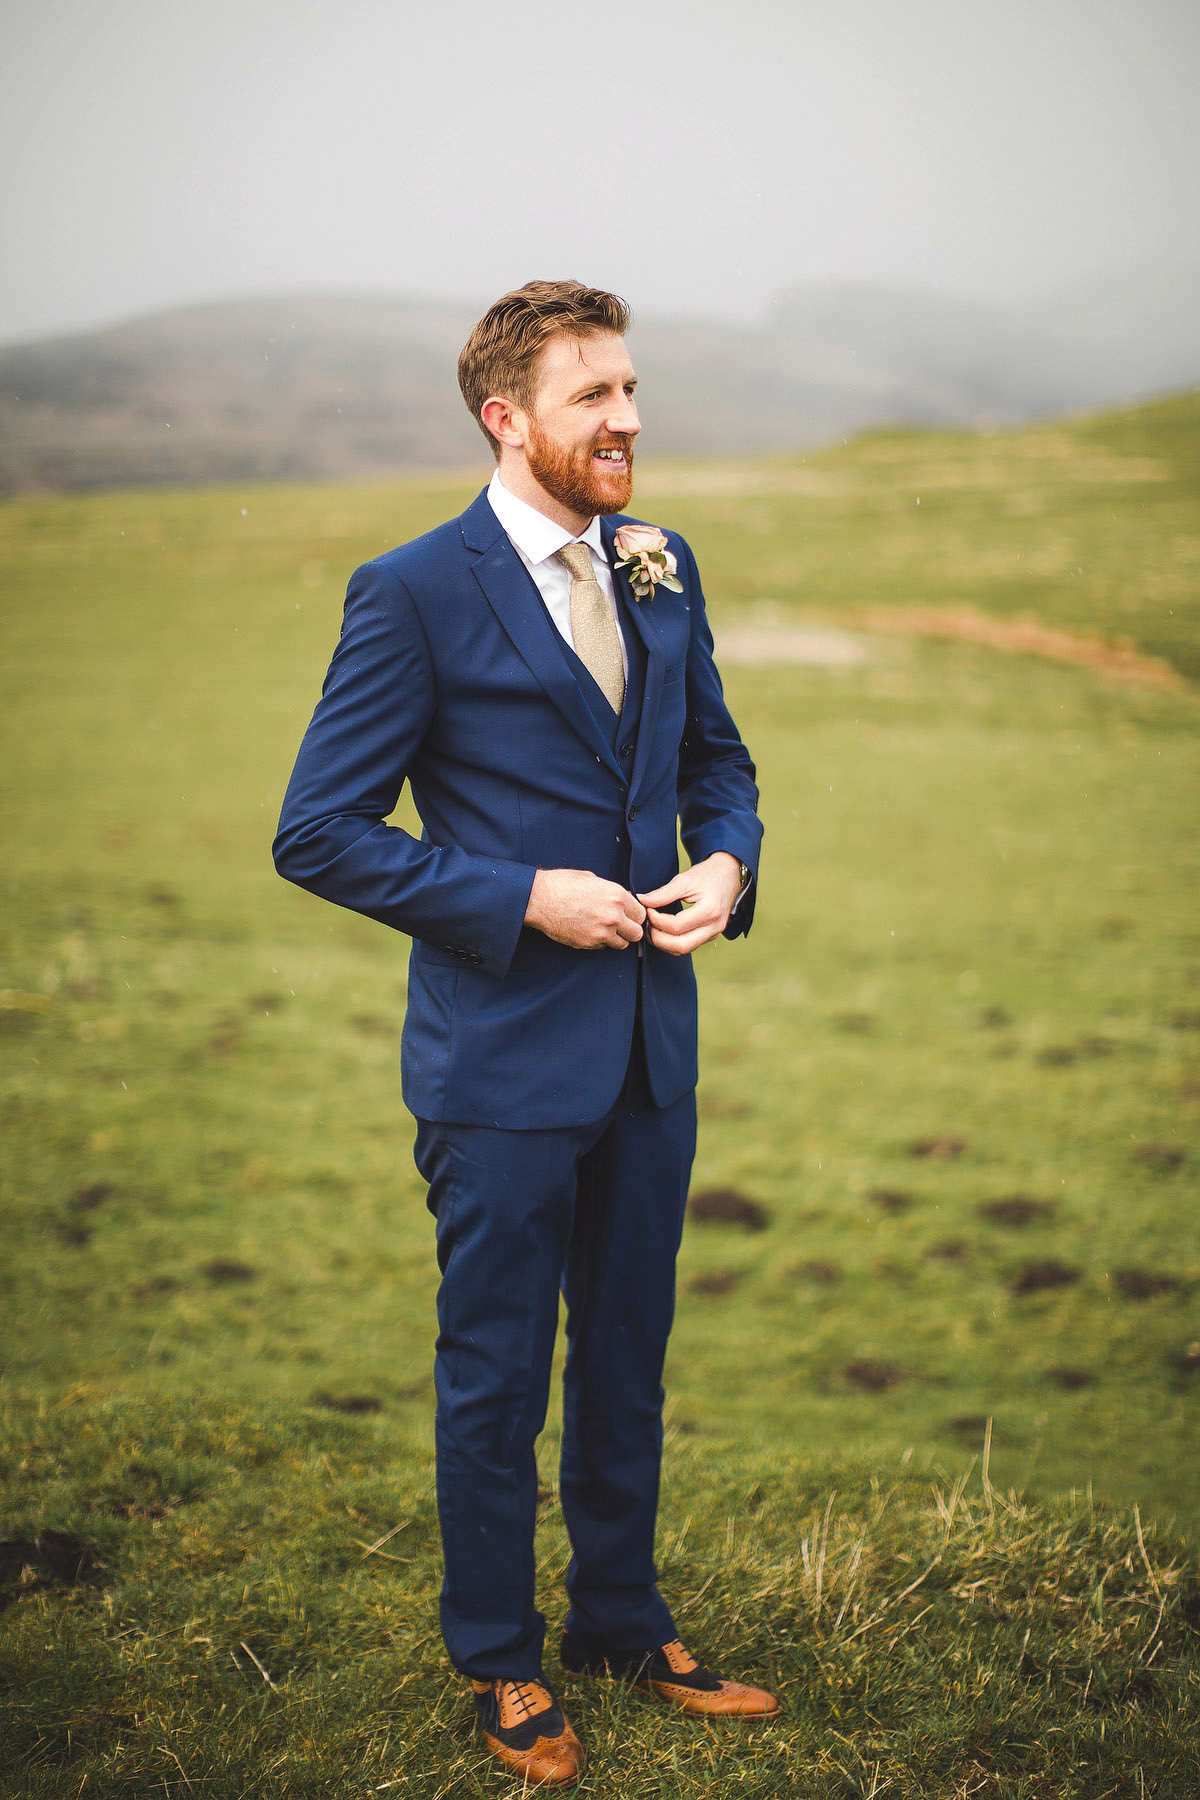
235	1637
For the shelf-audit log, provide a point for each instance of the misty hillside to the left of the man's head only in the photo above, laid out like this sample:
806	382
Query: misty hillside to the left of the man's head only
244	390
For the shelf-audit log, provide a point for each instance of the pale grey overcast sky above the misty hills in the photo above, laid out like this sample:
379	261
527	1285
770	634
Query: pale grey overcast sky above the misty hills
697	156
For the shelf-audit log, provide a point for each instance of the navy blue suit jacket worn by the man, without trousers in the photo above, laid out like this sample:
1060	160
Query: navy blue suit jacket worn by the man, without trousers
451	676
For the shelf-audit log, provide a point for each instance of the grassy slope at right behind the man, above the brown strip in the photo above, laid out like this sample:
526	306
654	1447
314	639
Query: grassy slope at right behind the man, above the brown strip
1091	526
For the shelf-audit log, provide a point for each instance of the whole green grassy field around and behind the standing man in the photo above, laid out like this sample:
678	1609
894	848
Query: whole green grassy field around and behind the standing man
951	1093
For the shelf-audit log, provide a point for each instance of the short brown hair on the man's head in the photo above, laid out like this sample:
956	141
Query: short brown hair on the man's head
503	352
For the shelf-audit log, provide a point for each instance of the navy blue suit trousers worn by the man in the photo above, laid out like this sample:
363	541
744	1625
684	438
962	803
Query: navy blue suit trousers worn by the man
596	1212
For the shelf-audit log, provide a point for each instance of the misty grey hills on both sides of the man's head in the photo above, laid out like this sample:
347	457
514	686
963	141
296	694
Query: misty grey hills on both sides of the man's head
303	388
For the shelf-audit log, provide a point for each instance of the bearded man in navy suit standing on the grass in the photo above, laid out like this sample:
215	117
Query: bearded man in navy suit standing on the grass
553	703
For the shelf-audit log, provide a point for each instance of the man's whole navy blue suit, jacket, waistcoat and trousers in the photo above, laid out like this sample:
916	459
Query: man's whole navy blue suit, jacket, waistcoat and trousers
555	1088
